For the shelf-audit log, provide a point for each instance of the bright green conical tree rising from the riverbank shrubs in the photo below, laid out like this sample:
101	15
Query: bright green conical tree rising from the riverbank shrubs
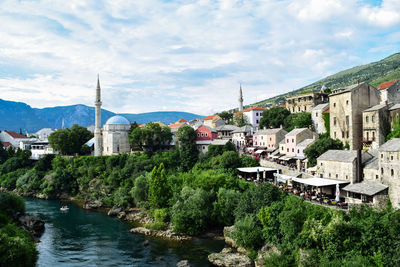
159	191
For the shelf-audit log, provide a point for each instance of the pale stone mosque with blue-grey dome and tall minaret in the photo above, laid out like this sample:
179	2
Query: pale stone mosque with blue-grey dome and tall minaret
113	138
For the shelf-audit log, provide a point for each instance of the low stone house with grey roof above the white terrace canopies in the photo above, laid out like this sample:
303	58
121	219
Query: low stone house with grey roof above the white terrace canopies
341	165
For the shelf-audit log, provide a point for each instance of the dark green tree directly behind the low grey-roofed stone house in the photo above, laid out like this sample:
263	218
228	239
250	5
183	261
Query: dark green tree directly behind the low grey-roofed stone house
319	147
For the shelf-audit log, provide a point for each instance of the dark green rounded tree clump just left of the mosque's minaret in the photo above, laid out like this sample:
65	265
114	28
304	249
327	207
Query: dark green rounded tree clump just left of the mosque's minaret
71	141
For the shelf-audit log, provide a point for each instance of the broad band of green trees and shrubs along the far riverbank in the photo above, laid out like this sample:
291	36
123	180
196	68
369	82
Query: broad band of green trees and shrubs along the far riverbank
197	193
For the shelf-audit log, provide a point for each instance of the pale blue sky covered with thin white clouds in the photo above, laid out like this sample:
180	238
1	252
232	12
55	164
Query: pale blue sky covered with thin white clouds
184	55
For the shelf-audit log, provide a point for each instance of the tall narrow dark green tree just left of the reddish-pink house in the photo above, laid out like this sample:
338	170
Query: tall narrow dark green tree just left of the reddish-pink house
187	147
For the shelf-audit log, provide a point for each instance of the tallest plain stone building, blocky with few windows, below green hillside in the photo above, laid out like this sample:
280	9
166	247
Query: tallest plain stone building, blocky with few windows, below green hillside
346	106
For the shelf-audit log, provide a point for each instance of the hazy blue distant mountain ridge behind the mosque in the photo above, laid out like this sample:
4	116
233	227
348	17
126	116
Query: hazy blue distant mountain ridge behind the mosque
15	116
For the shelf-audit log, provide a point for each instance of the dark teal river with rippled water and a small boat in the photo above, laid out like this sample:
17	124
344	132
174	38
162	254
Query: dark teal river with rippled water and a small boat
80	237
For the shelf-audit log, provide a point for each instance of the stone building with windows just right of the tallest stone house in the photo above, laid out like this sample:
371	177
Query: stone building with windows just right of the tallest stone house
376	125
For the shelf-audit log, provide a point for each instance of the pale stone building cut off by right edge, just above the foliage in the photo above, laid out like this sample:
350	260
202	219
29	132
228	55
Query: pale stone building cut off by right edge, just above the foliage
389	168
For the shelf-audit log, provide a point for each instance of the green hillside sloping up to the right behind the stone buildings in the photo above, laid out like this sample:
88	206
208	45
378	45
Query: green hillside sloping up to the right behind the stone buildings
374	73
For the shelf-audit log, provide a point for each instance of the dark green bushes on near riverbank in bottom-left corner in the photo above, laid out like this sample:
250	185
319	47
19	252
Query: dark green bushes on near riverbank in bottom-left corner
16	245
